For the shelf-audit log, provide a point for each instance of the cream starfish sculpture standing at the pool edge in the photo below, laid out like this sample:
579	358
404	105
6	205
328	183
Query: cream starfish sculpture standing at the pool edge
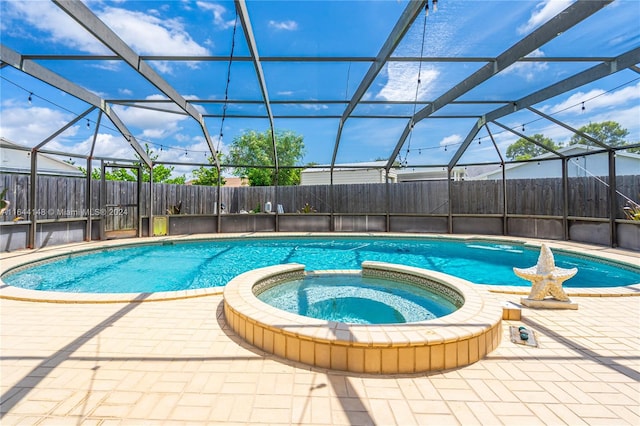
546	278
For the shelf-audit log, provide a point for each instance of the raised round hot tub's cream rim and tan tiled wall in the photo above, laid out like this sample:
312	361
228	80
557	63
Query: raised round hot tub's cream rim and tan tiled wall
455	340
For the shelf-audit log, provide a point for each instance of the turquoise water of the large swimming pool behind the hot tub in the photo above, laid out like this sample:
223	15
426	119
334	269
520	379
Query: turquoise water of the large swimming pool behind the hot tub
200	264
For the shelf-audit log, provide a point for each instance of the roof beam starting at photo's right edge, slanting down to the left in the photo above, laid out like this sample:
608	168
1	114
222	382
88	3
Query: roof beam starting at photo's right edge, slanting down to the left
592	74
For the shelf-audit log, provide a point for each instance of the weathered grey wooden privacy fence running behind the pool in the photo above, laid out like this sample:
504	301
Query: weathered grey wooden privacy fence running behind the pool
64	197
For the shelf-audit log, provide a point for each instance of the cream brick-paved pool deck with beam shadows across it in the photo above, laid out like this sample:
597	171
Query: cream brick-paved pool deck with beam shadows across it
177	362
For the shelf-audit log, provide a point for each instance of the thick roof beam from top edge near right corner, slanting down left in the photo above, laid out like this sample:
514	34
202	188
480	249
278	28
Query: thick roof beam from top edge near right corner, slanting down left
563	21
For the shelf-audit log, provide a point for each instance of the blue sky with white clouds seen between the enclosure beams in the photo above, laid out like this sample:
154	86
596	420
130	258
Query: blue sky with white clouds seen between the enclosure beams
314	29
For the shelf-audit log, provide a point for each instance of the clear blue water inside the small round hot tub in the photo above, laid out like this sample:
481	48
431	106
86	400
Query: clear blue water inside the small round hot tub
357	300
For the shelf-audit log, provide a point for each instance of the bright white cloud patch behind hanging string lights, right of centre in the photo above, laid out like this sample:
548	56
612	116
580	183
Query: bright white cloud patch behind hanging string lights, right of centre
402	78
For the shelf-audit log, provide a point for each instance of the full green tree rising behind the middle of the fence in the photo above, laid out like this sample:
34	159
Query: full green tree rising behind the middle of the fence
256	149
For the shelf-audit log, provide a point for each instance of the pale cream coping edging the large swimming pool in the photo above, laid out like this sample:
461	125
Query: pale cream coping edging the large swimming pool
12	260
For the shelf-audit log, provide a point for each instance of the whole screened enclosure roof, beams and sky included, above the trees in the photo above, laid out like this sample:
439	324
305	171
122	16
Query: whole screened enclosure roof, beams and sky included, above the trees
343	74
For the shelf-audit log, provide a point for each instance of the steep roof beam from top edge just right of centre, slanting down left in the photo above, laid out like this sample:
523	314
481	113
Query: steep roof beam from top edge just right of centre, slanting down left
403	24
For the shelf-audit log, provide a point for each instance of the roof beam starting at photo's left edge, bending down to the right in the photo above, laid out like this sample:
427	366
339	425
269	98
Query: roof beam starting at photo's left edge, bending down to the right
43	74
